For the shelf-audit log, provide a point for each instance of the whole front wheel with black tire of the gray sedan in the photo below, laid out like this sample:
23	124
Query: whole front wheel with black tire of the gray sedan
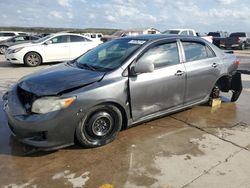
99	126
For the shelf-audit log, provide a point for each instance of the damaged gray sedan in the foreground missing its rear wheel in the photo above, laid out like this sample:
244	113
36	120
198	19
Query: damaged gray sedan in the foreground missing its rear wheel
116	85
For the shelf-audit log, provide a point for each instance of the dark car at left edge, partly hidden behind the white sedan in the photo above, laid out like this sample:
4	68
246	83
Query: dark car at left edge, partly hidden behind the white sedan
16	40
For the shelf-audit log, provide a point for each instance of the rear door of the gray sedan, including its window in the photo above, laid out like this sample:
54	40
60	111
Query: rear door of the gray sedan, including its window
202	70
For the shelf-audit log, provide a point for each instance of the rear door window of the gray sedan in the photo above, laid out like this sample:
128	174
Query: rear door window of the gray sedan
196	51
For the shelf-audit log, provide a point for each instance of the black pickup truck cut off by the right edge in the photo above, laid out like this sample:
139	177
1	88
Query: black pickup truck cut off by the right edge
239	40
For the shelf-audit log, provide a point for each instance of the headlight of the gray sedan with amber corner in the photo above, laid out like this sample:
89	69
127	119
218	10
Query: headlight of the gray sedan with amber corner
50	104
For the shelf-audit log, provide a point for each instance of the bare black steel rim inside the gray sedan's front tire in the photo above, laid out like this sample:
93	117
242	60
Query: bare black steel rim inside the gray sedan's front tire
102	125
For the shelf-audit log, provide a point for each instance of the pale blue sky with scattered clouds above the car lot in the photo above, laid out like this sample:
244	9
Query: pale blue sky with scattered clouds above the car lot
202	15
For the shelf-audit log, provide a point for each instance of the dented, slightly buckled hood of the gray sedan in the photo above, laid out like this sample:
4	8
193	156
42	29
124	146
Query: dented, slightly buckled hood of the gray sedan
58	79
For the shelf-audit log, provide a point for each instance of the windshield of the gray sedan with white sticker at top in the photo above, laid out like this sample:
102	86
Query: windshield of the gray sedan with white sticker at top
110	55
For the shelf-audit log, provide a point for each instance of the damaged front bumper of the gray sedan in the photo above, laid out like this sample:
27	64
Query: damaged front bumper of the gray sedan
45	131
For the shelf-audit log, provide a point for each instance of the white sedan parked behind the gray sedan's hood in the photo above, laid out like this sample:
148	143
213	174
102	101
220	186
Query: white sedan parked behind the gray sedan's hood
52	48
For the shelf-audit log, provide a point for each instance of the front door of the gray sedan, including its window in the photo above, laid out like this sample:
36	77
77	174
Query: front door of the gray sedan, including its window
162	89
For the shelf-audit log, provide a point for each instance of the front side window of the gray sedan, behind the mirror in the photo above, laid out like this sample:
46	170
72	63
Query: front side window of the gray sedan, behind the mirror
162	55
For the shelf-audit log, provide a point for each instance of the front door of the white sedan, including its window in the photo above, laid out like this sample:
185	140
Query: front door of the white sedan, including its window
58	50
